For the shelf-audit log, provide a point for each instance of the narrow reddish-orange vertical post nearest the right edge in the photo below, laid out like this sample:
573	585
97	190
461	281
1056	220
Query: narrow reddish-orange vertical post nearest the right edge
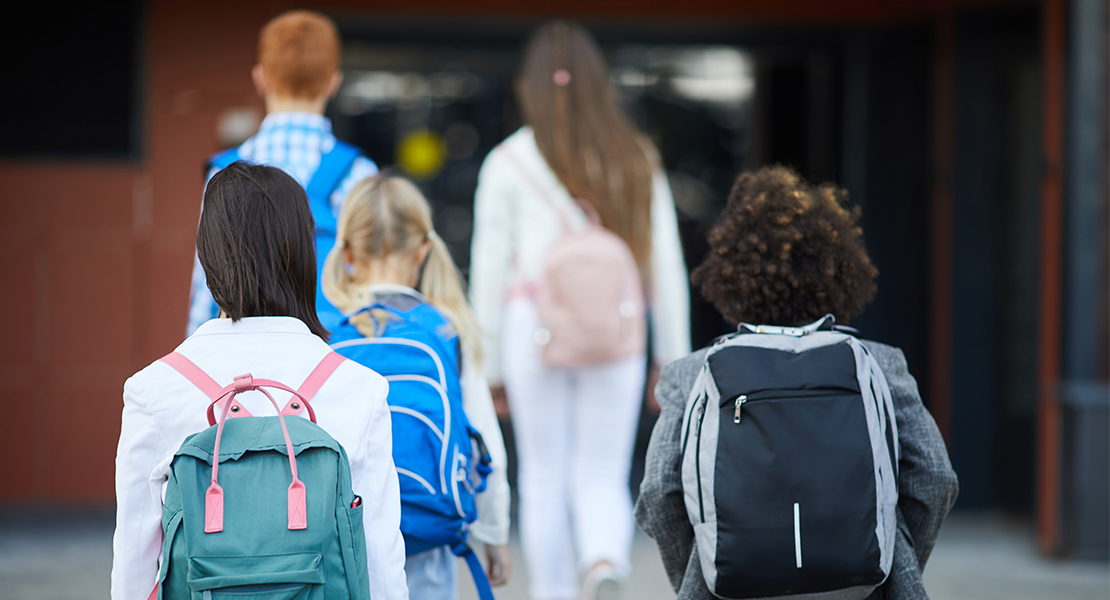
1048	372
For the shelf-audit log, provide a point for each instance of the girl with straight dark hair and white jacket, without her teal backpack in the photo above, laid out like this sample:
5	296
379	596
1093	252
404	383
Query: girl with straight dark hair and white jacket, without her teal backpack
256	243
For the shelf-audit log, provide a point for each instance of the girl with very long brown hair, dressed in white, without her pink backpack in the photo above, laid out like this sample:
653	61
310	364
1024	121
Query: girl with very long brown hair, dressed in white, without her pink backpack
578	160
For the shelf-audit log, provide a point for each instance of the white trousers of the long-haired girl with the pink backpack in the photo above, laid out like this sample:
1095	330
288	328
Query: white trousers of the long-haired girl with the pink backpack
576	432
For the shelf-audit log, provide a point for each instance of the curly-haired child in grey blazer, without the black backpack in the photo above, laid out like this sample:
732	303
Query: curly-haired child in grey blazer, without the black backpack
788	253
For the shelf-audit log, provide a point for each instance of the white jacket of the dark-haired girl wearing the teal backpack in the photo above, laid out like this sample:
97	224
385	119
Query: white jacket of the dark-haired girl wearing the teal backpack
162	409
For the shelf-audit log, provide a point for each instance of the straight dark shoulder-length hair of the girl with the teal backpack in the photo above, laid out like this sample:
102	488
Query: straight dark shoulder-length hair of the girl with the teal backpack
257	245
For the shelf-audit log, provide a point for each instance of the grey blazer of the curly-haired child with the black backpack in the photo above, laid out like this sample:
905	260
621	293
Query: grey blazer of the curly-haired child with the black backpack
927	485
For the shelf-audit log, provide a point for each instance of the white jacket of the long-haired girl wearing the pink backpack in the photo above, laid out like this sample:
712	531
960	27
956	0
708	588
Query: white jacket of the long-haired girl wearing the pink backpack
514	227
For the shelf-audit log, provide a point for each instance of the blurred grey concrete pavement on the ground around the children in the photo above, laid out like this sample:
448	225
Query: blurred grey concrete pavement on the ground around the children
63	555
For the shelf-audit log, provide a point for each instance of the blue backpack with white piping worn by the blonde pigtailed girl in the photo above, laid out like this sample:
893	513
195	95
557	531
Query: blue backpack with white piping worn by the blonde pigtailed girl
442	463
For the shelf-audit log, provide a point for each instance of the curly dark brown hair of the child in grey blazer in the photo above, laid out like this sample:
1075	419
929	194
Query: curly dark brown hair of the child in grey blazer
786	253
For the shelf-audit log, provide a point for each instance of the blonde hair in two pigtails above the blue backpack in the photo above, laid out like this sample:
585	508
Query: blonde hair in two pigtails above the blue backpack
384	217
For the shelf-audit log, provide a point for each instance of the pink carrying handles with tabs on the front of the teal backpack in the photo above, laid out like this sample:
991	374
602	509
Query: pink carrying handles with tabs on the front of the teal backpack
214	499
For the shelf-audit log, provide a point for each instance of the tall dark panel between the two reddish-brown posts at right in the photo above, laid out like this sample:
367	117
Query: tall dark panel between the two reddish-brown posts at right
996	286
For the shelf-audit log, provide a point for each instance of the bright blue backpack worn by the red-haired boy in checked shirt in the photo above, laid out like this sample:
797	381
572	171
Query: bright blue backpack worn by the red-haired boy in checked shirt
334	167
